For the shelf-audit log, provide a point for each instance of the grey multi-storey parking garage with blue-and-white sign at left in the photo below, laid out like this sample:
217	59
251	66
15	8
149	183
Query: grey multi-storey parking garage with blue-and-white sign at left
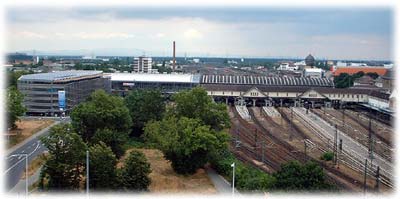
57	92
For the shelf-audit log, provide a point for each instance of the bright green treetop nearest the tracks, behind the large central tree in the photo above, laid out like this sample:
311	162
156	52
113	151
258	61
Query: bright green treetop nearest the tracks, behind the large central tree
195	103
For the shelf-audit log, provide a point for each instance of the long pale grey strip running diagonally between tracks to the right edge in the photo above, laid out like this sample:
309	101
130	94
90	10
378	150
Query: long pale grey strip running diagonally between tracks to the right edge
357	150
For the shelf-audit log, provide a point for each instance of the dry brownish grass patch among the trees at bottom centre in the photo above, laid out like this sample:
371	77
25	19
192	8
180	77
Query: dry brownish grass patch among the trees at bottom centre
165	180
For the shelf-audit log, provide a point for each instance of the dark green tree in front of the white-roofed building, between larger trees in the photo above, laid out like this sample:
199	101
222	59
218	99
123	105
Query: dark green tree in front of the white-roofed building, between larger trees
144	105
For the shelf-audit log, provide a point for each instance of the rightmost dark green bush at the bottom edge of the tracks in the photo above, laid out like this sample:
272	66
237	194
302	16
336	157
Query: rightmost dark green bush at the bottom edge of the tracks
296	176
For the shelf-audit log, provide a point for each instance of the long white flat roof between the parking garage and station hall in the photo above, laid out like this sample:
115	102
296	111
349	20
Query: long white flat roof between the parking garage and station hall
149	77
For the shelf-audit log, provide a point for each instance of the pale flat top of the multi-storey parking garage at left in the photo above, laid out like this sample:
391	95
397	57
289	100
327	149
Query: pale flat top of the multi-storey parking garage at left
59	75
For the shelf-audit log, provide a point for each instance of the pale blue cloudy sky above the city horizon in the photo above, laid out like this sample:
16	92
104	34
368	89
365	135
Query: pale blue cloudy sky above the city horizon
327	33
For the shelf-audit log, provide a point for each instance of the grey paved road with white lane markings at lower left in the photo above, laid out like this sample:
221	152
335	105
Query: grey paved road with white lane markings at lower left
15	165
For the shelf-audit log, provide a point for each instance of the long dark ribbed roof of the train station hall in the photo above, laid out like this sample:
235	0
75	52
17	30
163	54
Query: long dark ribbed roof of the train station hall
264	80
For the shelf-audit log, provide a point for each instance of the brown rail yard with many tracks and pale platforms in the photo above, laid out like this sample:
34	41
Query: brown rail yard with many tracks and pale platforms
266	137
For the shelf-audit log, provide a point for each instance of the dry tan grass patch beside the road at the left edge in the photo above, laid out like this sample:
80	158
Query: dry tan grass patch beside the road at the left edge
25	129
